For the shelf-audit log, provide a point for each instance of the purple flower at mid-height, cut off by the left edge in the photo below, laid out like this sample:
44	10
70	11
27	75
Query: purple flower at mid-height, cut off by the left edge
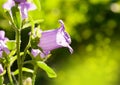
3	47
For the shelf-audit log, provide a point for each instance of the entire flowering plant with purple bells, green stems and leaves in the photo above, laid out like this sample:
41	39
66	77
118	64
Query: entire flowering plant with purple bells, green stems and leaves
40	44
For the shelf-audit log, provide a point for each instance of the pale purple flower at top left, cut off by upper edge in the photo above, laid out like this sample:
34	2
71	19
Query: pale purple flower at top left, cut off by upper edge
23	5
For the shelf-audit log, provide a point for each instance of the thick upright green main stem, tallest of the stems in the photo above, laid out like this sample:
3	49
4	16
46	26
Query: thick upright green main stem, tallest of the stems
19	59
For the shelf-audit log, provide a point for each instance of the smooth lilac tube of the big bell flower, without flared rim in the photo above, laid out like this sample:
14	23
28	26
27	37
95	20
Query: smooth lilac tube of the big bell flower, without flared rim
48	40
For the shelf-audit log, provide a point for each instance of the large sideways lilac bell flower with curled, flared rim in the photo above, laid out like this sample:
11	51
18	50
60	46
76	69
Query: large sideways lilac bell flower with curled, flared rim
53	39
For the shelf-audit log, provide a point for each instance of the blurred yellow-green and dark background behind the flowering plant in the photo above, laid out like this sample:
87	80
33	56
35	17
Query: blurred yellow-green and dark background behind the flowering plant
94	26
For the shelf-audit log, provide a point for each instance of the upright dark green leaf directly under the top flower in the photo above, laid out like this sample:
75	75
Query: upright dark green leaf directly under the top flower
16	17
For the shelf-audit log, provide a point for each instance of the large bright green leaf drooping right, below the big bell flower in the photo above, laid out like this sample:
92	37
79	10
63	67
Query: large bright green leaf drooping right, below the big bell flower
50	72
